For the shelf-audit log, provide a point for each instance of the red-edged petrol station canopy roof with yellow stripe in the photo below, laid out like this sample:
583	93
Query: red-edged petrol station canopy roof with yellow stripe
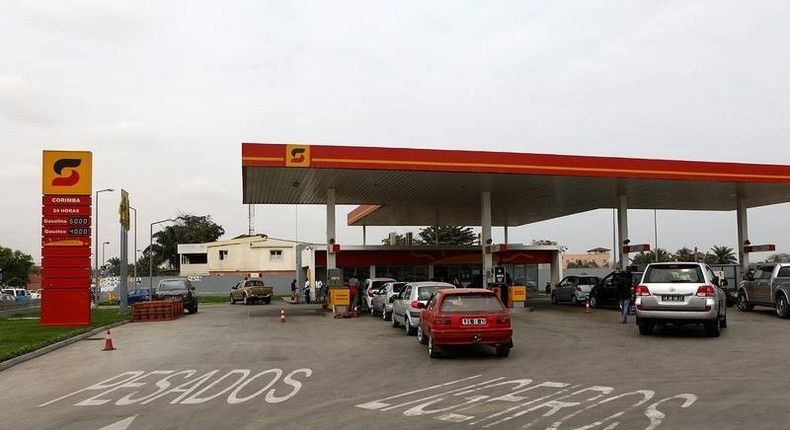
415	187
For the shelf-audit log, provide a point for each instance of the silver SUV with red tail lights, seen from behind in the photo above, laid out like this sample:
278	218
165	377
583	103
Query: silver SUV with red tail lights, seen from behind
678	294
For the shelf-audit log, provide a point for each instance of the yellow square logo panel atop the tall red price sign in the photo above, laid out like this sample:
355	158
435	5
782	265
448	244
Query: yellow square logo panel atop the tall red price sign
67	172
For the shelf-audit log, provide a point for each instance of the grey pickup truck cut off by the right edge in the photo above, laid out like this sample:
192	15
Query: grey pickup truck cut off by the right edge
768	285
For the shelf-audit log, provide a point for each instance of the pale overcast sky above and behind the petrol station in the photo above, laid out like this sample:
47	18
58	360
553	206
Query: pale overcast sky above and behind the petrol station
164	92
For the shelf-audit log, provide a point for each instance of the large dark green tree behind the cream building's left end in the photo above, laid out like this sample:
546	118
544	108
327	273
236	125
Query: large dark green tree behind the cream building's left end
186	229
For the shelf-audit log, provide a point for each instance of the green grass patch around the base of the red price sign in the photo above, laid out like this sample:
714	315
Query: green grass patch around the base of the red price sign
22	333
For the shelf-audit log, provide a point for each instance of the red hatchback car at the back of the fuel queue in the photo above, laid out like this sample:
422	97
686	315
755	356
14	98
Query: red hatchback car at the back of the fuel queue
465	316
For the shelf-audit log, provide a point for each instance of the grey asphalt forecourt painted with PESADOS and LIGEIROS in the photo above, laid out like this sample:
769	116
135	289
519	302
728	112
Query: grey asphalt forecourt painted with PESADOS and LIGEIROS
240	367
